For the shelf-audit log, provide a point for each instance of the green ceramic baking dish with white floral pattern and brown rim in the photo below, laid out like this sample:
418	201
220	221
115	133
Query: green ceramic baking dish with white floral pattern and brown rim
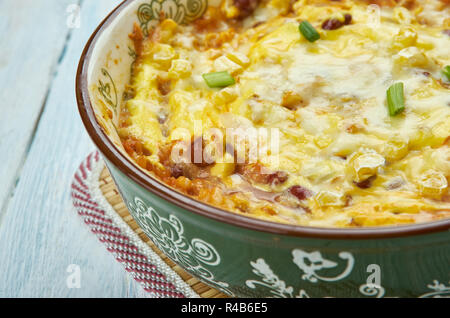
241	255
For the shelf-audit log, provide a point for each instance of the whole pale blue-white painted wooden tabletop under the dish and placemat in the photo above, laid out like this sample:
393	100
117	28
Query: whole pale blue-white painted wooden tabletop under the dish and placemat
42	142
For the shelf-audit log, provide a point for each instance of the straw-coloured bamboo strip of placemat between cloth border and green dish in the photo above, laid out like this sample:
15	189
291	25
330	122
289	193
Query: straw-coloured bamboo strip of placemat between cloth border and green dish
109	191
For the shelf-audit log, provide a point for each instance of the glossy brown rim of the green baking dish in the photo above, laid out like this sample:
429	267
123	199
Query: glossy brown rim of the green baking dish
152	184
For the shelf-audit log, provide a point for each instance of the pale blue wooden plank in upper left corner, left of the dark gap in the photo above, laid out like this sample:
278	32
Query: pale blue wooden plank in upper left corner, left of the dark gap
32	37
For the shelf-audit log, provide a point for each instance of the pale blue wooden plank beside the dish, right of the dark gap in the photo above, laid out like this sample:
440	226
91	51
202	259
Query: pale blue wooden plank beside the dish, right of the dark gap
41	235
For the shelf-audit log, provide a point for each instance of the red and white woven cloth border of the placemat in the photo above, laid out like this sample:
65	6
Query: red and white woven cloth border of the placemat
138	259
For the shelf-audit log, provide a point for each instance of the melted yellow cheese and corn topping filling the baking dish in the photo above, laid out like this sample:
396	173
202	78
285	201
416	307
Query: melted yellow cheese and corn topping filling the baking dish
341	160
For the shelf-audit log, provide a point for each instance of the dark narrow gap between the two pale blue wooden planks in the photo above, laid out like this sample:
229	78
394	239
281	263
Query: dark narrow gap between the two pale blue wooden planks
54	71
